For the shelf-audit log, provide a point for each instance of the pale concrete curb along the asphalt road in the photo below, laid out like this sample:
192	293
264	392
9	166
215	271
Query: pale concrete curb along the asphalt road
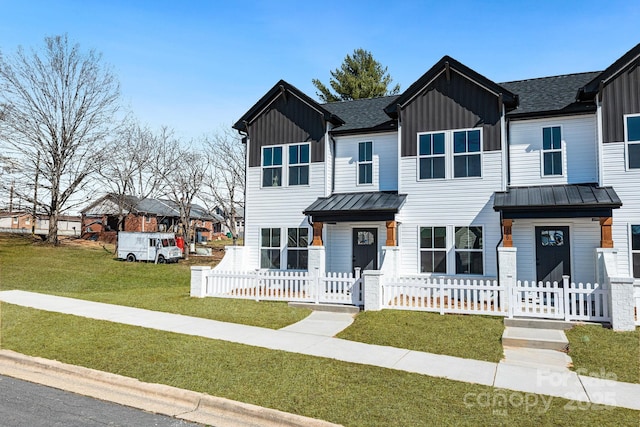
158	398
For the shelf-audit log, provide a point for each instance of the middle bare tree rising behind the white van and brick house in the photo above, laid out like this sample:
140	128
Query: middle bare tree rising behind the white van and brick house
130	167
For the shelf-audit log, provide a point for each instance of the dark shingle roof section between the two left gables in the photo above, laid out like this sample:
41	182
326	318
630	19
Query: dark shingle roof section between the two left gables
363	114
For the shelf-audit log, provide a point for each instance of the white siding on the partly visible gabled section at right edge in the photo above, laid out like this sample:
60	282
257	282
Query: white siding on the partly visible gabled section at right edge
627	186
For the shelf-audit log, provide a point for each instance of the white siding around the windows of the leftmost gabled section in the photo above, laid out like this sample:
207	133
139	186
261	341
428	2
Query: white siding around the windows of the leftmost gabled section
278	207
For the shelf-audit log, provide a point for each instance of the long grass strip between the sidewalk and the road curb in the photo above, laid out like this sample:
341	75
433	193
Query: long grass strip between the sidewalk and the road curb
350	394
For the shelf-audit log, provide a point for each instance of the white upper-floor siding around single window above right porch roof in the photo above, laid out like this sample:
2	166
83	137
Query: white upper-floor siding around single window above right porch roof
580	151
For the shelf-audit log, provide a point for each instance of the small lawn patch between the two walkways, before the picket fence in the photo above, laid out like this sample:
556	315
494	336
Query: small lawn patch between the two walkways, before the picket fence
471	337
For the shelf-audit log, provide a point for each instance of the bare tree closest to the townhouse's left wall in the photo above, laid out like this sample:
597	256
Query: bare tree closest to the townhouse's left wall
225	185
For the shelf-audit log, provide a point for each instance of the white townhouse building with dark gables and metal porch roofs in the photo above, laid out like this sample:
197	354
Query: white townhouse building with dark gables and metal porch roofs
448	171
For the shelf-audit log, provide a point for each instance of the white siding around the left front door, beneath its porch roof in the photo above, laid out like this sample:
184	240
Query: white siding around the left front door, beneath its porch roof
339	244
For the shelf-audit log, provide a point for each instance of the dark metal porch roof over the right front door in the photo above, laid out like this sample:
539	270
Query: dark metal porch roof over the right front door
557	201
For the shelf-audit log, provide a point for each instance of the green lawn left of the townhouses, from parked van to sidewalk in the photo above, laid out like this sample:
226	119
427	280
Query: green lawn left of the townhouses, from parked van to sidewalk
88	270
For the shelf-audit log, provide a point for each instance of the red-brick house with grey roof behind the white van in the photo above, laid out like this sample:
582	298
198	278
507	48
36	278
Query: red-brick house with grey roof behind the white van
100	219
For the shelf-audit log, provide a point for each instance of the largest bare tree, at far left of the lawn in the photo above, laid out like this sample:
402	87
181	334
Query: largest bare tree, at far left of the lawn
58	104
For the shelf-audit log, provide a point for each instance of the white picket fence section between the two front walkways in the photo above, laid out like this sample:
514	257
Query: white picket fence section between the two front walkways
445	295
